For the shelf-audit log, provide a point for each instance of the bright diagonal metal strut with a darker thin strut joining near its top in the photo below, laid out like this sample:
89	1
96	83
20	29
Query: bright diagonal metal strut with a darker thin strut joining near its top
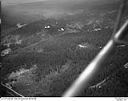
93	68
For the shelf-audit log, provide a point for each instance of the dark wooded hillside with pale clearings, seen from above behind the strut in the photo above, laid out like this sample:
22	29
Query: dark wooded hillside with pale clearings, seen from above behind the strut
43	57
